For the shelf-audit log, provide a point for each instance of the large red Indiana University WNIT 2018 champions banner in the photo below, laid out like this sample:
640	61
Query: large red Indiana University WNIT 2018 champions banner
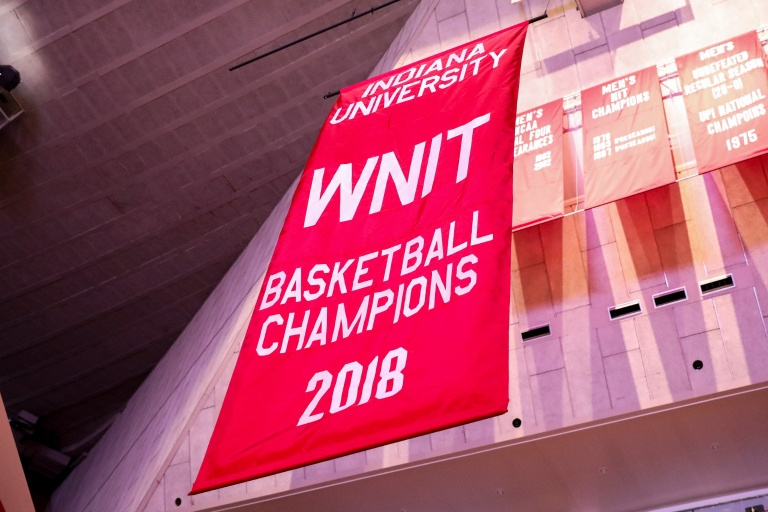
384	312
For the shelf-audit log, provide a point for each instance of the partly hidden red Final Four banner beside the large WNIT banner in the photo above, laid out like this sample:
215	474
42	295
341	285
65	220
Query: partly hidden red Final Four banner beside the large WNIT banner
538	180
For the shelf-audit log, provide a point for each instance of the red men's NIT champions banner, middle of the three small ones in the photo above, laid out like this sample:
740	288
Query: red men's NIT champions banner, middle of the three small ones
626	146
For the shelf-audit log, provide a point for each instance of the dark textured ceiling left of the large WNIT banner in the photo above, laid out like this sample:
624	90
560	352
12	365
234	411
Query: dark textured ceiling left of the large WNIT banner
141	169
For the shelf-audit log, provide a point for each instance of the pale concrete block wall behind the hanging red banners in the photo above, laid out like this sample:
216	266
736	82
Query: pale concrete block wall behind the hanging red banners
565	273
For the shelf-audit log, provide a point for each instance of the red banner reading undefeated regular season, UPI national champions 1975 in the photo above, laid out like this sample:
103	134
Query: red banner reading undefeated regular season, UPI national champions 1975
724	90
